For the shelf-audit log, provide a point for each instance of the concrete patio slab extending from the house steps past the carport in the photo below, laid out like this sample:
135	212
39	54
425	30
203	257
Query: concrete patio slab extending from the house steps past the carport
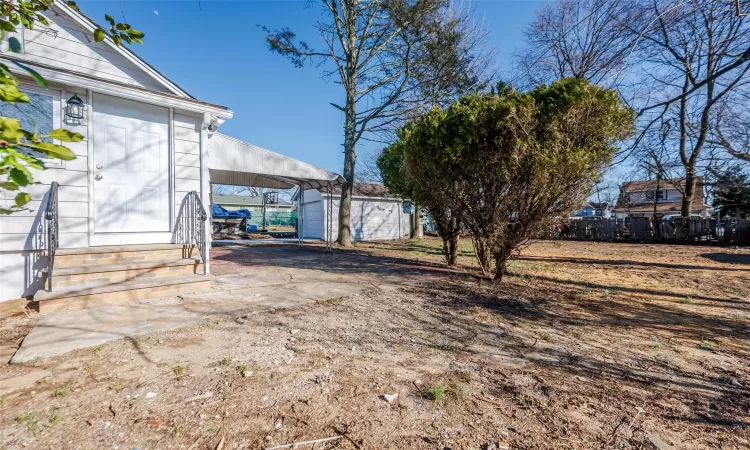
248	278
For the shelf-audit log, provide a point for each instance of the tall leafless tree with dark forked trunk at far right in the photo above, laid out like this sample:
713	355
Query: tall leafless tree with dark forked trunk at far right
693	55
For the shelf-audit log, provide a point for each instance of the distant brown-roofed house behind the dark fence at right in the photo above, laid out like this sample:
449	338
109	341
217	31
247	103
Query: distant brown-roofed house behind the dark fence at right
637	199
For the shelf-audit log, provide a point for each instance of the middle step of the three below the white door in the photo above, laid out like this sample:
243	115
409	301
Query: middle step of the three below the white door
105	273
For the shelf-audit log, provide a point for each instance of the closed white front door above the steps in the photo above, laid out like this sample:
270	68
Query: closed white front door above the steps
131	172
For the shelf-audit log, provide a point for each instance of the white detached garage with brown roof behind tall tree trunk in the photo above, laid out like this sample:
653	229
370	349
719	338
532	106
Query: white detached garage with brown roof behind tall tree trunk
375	213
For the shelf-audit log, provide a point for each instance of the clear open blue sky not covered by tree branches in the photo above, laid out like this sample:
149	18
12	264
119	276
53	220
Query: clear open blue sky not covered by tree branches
216	51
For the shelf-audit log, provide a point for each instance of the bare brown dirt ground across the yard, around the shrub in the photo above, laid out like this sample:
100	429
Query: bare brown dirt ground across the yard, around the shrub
583	345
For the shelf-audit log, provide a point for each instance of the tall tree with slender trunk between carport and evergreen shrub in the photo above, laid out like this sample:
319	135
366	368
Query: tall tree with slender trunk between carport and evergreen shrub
378	51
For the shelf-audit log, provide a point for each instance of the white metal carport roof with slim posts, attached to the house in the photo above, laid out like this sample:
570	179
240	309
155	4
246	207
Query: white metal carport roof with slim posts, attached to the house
237	163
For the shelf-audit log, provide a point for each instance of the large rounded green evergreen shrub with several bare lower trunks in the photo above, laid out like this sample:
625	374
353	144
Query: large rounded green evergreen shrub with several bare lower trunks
504	167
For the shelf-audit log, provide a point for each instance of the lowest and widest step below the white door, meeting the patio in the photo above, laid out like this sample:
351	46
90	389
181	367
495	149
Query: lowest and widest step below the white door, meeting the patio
81	297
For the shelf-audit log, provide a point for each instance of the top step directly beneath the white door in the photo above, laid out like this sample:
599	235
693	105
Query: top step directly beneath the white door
67	257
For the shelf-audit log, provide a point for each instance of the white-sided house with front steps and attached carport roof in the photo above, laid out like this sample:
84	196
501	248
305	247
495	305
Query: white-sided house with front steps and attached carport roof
125	219
